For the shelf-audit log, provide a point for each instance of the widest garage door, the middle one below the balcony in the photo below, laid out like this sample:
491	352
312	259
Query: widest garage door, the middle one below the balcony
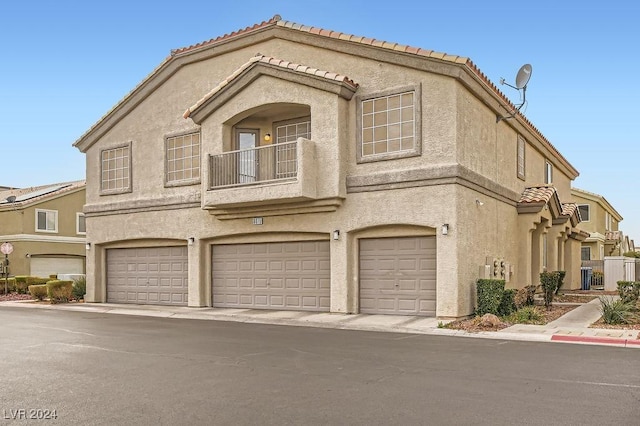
287	276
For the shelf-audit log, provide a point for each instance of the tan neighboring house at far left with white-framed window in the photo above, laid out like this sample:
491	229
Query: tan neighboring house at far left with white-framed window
45	225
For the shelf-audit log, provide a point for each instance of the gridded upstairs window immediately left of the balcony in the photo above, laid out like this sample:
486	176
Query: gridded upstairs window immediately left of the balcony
183	159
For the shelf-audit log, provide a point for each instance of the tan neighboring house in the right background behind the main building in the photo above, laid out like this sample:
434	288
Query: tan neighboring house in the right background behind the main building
601	221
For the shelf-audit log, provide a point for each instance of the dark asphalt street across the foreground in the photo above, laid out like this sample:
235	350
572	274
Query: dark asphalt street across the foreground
96	369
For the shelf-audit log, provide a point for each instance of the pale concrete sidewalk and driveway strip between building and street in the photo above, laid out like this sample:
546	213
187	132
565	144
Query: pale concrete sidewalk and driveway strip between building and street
573	327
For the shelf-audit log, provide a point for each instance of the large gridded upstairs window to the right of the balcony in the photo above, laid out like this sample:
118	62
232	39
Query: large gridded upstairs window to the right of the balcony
388	124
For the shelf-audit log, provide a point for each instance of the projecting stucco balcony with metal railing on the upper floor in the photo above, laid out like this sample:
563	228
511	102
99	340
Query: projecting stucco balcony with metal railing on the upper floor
263	176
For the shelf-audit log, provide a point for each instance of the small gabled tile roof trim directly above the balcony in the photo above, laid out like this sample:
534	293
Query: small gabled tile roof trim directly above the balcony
303	69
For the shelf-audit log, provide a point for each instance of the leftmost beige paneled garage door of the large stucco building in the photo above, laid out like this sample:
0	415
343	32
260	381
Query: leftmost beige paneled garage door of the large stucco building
151	275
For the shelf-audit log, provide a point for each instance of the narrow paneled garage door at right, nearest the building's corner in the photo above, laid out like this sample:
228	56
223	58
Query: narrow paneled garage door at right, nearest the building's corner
398	276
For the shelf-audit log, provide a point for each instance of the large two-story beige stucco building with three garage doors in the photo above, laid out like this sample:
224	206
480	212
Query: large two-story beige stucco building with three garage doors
328	173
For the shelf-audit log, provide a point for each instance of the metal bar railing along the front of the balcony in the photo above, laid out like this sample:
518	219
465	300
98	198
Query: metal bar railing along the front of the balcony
255	165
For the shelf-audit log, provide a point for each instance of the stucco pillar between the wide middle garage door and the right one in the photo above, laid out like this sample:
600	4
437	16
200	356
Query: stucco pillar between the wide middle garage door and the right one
344	286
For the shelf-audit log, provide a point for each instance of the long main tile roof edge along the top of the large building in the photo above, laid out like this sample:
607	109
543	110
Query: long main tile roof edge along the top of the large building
277	20
